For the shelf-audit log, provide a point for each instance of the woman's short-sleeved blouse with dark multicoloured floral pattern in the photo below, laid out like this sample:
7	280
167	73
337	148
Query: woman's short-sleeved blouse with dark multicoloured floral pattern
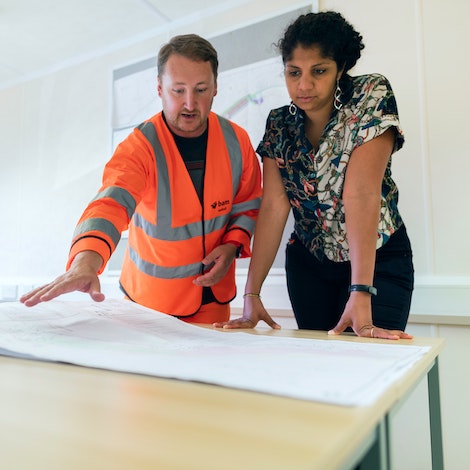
314	179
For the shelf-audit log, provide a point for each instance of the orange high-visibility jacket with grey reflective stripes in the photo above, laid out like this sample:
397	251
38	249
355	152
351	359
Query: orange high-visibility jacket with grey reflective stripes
147	184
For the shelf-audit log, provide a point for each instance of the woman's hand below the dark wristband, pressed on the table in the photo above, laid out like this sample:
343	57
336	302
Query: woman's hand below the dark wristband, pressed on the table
358	315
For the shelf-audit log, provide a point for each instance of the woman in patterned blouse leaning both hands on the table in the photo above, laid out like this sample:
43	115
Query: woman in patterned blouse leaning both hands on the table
328	156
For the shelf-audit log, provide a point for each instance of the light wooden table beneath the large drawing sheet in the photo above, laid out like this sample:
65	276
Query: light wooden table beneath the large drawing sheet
57	416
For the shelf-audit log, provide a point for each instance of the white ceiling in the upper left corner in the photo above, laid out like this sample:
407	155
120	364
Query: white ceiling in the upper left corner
38	37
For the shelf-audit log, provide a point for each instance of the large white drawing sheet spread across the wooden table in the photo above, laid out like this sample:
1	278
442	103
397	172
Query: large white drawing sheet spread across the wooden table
122	336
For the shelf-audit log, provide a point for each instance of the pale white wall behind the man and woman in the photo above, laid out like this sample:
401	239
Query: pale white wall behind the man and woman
56	136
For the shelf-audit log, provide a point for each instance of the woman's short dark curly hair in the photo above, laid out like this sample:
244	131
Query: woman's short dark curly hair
329	31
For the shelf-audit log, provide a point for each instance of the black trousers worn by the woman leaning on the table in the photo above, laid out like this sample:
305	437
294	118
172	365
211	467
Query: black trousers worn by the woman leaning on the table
318	290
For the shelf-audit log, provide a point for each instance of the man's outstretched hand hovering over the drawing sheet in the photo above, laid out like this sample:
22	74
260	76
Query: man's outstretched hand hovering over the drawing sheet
80	277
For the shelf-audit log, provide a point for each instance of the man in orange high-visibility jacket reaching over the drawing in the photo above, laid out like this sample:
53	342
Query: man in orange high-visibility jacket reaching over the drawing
187	184
